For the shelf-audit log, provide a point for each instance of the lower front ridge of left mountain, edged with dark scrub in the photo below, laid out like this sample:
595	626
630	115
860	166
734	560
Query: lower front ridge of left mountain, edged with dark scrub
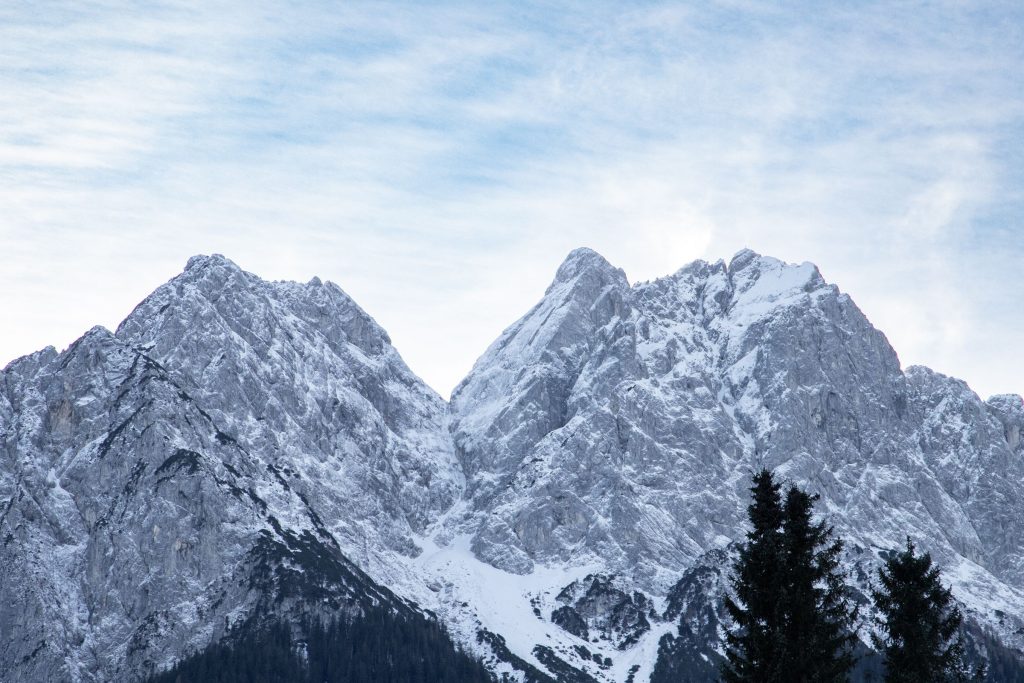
135	529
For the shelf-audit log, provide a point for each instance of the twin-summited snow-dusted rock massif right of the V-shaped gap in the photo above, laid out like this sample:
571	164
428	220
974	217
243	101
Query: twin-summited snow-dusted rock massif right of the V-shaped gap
668	394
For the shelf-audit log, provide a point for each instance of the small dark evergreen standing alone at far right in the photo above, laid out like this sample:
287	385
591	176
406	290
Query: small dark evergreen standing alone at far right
919	623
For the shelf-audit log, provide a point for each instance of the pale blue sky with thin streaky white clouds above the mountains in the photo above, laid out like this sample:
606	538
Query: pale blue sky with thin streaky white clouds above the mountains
439	161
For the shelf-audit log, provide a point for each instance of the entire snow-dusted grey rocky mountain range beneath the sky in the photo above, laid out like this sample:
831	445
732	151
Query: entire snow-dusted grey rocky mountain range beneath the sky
246	457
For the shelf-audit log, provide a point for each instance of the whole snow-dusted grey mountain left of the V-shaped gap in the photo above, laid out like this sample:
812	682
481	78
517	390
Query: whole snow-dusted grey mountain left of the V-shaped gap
163	485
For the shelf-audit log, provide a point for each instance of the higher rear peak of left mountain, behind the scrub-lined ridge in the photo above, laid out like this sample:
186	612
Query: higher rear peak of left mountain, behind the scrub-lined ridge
301	374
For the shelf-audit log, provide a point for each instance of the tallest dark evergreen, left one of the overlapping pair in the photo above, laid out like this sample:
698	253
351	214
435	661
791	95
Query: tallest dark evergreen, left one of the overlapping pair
753	648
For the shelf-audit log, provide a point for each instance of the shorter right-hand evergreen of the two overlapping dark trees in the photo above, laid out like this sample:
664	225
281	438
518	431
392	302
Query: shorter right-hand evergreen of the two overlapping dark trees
820	621
